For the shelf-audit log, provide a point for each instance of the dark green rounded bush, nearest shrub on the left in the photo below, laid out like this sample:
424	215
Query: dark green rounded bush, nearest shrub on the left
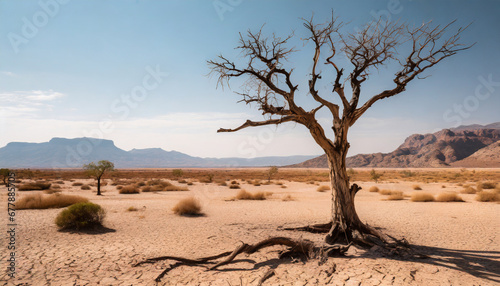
80	216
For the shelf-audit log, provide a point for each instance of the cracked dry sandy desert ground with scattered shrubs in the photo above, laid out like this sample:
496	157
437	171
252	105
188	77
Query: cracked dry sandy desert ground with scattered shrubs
459	241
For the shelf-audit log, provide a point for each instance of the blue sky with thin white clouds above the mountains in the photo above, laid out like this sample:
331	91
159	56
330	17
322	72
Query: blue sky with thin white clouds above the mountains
69	68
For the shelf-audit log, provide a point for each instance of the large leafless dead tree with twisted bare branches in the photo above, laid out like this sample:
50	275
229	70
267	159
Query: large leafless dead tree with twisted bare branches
269	85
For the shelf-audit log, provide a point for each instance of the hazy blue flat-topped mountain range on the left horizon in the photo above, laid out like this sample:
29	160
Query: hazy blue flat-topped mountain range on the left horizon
73	153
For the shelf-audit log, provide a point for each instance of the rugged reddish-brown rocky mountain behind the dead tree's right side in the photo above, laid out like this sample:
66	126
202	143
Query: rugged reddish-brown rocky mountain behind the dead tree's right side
464	146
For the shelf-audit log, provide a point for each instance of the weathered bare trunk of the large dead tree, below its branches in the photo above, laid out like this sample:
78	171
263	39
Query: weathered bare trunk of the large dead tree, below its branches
346	225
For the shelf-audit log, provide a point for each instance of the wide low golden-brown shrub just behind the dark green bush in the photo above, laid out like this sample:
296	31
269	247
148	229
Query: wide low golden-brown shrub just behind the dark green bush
39	201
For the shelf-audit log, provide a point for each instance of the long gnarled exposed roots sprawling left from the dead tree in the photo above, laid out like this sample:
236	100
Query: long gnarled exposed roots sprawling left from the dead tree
303	248
